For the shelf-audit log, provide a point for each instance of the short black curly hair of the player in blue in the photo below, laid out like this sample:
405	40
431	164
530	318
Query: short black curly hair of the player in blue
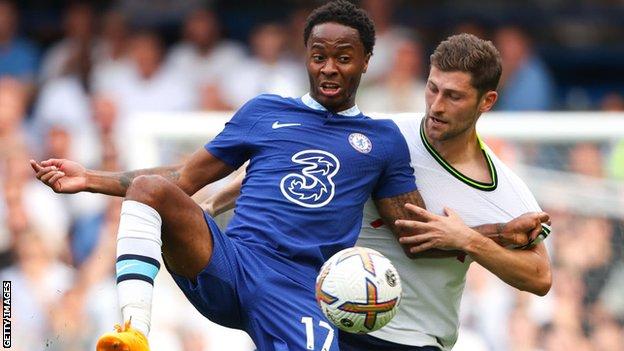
345	13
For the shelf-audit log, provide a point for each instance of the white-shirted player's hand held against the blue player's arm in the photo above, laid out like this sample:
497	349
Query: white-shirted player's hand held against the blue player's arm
431	231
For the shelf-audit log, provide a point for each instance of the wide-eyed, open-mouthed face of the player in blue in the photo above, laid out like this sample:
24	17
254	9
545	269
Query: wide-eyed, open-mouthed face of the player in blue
336	60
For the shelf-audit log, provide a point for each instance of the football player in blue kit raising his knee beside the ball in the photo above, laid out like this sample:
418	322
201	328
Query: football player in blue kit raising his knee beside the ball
313	163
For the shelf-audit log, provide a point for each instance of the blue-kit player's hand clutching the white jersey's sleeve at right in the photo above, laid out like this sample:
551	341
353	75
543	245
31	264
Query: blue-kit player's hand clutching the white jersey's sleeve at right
523	229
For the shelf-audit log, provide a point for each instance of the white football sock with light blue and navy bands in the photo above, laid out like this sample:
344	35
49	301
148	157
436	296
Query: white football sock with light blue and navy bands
138	252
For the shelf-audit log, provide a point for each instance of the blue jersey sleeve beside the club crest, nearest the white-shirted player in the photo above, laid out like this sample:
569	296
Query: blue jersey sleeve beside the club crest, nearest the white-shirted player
398	175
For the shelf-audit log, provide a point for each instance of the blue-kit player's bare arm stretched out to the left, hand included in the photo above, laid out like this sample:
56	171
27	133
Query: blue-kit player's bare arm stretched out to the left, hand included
65	176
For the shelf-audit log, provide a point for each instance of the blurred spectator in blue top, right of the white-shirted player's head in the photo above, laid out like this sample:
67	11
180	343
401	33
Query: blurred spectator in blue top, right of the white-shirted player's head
526	83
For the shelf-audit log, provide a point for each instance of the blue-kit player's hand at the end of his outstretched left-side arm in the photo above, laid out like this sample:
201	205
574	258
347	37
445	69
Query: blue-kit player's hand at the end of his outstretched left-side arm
63	176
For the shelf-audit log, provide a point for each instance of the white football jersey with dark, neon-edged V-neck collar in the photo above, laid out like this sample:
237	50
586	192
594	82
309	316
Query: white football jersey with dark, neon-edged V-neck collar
432	288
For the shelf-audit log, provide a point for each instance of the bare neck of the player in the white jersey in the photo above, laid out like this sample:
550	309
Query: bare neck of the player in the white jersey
459	148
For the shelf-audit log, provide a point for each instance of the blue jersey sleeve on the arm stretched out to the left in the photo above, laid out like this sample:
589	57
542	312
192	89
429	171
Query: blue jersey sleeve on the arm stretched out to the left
233	145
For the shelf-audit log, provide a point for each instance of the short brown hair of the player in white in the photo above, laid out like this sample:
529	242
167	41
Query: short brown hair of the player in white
468	53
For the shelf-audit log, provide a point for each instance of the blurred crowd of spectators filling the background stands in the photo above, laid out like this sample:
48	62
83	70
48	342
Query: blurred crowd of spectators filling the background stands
75	97
